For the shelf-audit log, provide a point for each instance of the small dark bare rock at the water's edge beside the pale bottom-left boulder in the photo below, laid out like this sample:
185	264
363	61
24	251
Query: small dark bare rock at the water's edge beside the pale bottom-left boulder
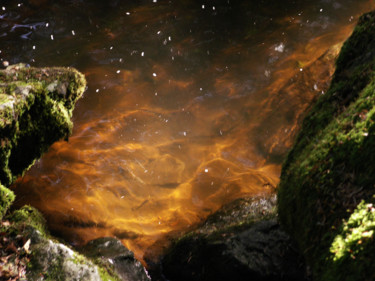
112	254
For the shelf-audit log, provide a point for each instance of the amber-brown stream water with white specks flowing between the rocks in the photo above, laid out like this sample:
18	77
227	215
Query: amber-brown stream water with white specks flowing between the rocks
190	104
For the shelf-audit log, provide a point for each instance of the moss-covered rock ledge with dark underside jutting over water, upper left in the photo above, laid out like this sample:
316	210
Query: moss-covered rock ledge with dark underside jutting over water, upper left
35	109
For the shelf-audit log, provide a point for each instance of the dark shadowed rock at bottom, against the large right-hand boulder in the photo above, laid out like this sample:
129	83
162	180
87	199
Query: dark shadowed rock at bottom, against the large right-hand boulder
242	241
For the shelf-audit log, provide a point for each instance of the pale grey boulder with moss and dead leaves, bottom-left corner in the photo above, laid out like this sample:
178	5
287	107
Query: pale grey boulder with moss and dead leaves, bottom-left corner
28	252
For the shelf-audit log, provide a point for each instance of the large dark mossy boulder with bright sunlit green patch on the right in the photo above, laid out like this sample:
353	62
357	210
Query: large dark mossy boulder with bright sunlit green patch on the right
327	185
